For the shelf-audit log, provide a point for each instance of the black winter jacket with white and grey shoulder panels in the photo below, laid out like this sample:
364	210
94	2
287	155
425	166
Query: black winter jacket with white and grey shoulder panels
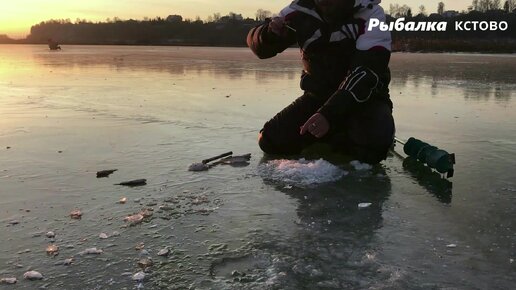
344	63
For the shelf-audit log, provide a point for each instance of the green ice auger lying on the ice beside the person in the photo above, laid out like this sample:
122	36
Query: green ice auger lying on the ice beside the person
433	157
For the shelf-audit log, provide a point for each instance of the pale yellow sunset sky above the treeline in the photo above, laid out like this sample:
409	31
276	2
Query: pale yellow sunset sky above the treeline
16	17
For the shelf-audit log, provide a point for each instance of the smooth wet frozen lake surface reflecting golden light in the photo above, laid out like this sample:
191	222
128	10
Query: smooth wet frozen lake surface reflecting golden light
151	112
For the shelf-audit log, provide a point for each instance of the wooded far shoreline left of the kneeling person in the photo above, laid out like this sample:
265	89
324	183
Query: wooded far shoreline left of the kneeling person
229	30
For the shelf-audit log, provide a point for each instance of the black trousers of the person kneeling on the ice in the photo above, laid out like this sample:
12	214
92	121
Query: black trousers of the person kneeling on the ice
366	134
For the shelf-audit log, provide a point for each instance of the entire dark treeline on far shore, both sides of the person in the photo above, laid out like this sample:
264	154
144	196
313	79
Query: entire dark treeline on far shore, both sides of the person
231	30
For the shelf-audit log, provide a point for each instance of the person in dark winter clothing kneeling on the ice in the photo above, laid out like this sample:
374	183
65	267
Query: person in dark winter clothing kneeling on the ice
346	100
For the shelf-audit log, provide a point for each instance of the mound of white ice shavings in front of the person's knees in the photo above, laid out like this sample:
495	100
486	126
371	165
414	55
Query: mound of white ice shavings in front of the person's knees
301	172
